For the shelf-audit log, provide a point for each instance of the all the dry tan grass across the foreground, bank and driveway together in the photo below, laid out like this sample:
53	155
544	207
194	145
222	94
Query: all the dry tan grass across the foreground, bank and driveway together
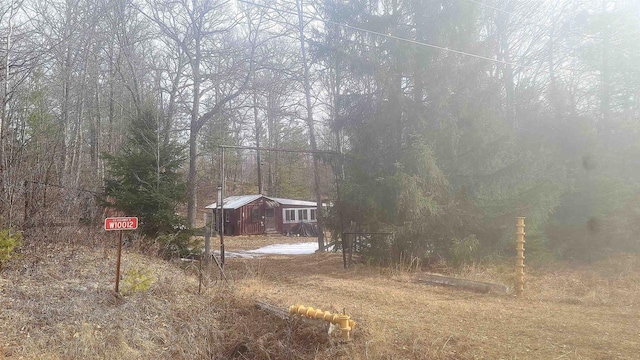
58	303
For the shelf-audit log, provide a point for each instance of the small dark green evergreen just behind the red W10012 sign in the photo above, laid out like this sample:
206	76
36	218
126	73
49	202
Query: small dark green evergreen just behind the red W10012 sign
144	176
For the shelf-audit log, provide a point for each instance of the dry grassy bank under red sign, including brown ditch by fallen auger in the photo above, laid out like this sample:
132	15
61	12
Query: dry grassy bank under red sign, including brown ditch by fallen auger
58	302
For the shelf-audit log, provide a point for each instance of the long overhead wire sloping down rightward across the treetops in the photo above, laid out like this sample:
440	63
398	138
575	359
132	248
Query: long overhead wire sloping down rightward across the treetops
394	37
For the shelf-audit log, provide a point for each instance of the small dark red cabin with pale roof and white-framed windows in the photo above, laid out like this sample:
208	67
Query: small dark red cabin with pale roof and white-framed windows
260	214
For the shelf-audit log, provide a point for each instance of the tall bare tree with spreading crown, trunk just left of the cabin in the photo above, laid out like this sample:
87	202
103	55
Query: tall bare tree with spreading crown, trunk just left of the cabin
203	31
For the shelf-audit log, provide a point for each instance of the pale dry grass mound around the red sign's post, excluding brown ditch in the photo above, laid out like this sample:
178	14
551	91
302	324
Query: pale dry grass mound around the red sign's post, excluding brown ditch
60	303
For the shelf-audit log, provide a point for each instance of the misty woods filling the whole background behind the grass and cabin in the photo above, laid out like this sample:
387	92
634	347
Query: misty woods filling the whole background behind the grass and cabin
451	118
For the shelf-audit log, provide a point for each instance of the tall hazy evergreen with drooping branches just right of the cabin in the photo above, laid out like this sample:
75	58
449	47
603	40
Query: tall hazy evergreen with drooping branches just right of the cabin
398	106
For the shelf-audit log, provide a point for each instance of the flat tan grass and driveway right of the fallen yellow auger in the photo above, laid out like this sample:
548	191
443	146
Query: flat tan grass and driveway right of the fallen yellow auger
568	313
